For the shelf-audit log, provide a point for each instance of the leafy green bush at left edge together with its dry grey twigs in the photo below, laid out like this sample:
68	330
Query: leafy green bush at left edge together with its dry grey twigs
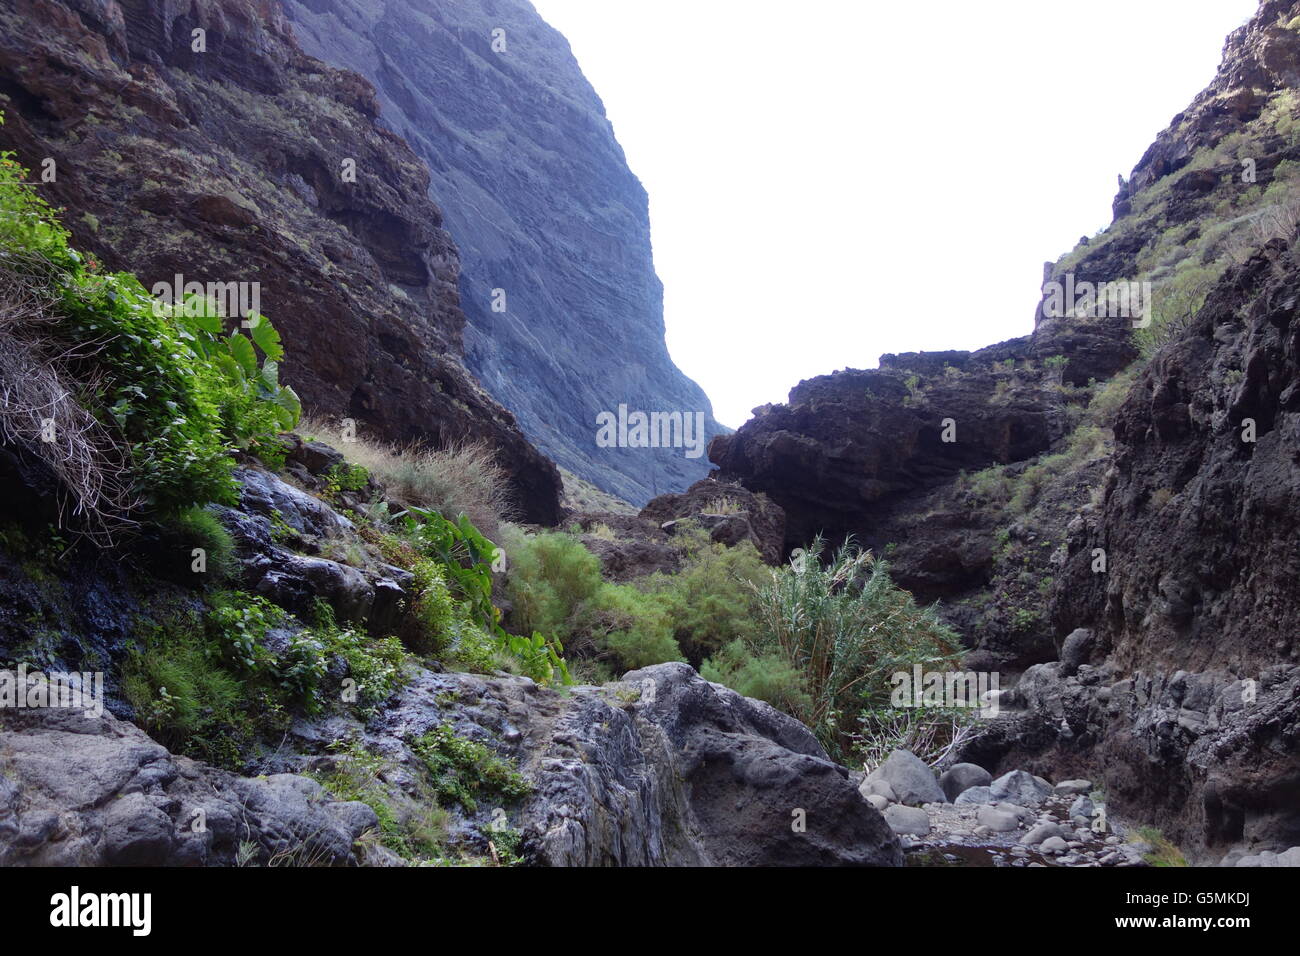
148	400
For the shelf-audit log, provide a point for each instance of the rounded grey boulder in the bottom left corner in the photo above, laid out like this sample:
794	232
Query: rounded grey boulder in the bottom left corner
96	791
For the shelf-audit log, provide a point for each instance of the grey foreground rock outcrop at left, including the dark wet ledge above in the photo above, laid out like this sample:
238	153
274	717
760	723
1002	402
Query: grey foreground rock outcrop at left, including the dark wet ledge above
661	768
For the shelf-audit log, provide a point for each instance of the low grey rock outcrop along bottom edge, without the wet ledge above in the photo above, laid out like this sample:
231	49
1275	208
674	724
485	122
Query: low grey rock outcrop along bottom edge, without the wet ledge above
661	769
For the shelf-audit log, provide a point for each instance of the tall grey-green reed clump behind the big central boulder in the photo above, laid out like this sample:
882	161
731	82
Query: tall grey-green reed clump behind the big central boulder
846	629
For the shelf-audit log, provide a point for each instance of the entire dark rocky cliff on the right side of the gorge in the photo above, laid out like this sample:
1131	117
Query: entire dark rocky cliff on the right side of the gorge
1115	504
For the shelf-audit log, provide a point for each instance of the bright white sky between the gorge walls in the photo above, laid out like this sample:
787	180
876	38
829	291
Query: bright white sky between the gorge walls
831	180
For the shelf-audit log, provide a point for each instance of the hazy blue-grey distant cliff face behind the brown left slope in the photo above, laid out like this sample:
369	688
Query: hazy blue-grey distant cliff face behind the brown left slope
543	206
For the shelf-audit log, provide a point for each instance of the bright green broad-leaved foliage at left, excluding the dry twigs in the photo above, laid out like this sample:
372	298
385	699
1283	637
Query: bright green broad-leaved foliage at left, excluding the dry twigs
176	391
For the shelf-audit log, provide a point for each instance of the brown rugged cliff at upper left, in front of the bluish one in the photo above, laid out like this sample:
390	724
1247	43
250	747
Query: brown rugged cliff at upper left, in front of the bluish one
232	157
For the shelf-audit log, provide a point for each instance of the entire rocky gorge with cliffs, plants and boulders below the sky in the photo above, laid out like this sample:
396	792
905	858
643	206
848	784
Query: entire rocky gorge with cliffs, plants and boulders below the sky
333	576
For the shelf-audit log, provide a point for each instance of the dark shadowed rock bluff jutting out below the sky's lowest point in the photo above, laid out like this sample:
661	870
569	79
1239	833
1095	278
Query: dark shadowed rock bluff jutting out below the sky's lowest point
852	447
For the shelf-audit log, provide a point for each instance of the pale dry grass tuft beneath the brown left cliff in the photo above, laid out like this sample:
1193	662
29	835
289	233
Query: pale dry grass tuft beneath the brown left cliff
456	481
